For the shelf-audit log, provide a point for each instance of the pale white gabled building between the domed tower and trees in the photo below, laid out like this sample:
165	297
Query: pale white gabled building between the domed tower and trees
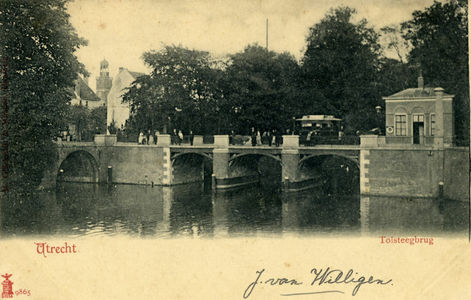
118	111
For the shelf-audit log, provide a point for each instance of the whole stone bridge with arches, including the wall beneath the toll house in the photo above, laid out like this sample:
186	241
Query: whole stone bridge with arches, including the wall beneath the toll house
382	169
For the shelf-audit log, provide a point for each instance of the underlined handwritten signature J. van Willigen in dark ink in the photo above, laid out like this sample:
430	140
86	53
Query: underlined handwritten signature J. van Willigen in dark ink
322	277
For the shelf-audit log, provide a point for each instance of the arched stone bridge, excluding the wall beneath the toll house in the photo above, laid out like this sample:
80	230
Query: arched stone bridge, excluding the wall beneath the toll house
227	166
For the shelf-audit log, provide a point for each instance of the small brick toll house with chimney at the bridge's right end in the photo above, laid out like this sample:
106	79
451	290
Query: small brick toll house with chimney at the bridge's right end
422	115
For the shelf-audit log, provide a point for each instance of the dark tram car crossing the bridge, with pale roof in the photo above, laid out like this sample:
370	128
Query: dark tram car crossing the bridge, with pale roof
319	129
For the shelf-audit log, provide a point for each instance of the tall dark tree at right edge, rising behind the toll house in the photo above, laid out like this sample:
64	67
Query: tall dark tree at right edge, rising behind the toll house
439	37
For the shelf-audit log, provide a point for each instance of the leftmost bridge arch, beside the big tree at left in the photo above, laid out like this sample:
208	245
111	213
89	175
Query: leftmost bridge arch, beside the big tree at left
79	166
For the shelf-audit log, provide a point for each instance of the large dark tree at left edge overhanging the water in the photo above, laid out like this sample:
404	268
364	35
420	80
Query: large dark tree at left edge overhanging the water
38	45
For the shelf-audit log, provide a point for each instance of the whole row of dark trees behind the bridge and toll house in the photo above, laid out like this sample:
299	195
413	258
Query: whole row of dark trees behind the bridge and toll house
344	72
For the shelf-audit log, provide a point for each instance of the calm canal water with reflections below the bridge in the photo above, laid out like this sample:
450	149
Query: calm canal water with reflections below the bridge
194	210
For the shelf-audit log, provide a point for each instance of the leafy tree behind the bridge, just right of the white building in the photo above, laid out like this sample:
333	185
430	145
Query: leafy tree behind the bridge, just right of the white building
181	92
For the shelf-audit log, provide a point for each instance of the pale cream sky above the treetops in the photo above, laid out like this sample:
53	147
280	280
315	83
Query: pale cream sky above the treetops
121	30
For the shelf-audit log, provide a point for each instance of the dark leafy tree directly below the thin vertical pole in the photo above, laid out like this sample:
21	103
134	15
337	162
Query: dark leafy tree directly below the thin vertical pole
261	89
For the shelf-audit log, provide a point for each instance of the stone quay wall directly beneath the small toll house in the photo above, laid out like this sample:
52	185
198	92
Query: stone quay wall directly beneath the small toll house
415	172
